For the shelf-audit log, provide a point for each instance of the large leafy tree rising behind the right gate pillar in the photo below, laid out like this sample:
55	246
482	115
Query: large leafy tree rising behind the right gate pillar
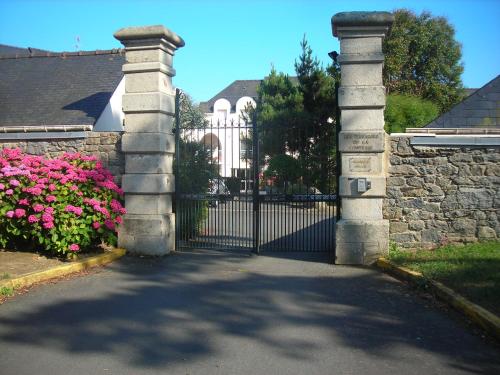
422	58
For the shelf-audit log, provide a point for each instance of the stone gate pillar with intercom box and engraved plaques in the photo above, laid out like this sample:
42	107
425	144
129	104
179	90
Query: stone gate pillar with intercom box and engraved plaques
361	234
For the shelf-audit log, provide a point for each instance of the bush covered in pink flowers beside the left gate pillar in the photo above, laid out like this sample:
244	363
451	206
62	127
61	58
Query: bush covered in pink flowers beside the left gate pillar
62	206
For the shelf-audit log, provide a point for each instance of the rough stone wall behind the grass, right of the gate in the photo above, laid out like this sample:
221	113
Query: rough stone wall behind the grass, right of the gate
442	193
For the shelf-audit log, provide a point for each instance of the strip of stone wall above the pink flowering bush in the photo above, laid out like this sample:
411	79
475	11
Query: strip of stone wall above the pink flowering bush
105	145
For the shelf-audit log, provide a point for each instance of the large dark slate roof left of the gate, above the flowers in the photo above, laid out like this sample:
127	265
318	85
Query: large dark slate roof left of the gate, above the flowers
57	88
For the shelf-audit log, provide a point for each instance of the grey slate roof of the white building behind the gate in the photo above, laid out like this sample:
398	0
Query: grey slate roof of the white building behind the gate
235	91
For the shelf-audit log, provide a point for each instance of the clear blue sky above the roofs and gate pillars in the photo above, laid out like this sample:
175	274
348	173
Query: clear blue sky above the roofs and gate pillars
233	39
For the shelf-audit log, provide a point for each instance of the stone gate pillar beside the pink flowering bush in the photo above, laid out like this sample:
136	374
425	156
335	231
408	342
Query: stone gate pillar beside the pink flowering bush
148	142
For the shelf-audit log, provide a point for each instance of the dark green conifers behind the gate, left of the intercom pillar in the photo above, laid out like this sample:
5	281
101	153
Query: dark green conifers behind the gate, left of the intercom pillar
299	119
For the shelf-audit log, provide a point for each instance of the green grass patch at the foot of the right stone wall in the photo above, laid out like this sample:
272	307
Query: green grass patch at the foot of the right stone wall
472	270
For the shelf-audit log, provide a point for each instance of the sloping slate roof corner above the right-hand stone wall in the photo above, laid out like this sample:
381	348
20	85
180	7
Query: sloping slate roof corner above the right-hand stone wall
479	110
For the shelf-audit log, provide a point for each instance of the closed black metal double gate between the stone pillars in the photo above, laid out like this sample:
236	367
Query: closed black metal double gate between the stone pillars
225	199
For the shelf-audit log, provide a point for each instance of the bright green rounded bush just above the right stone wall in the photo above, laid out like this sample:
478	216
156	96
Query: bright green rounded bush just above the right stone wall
405	111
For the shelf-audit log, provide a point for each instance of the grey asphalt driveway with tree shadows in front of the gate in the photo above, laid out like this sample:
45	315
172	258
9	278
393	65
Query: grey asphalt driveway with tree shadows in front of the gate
226	313
